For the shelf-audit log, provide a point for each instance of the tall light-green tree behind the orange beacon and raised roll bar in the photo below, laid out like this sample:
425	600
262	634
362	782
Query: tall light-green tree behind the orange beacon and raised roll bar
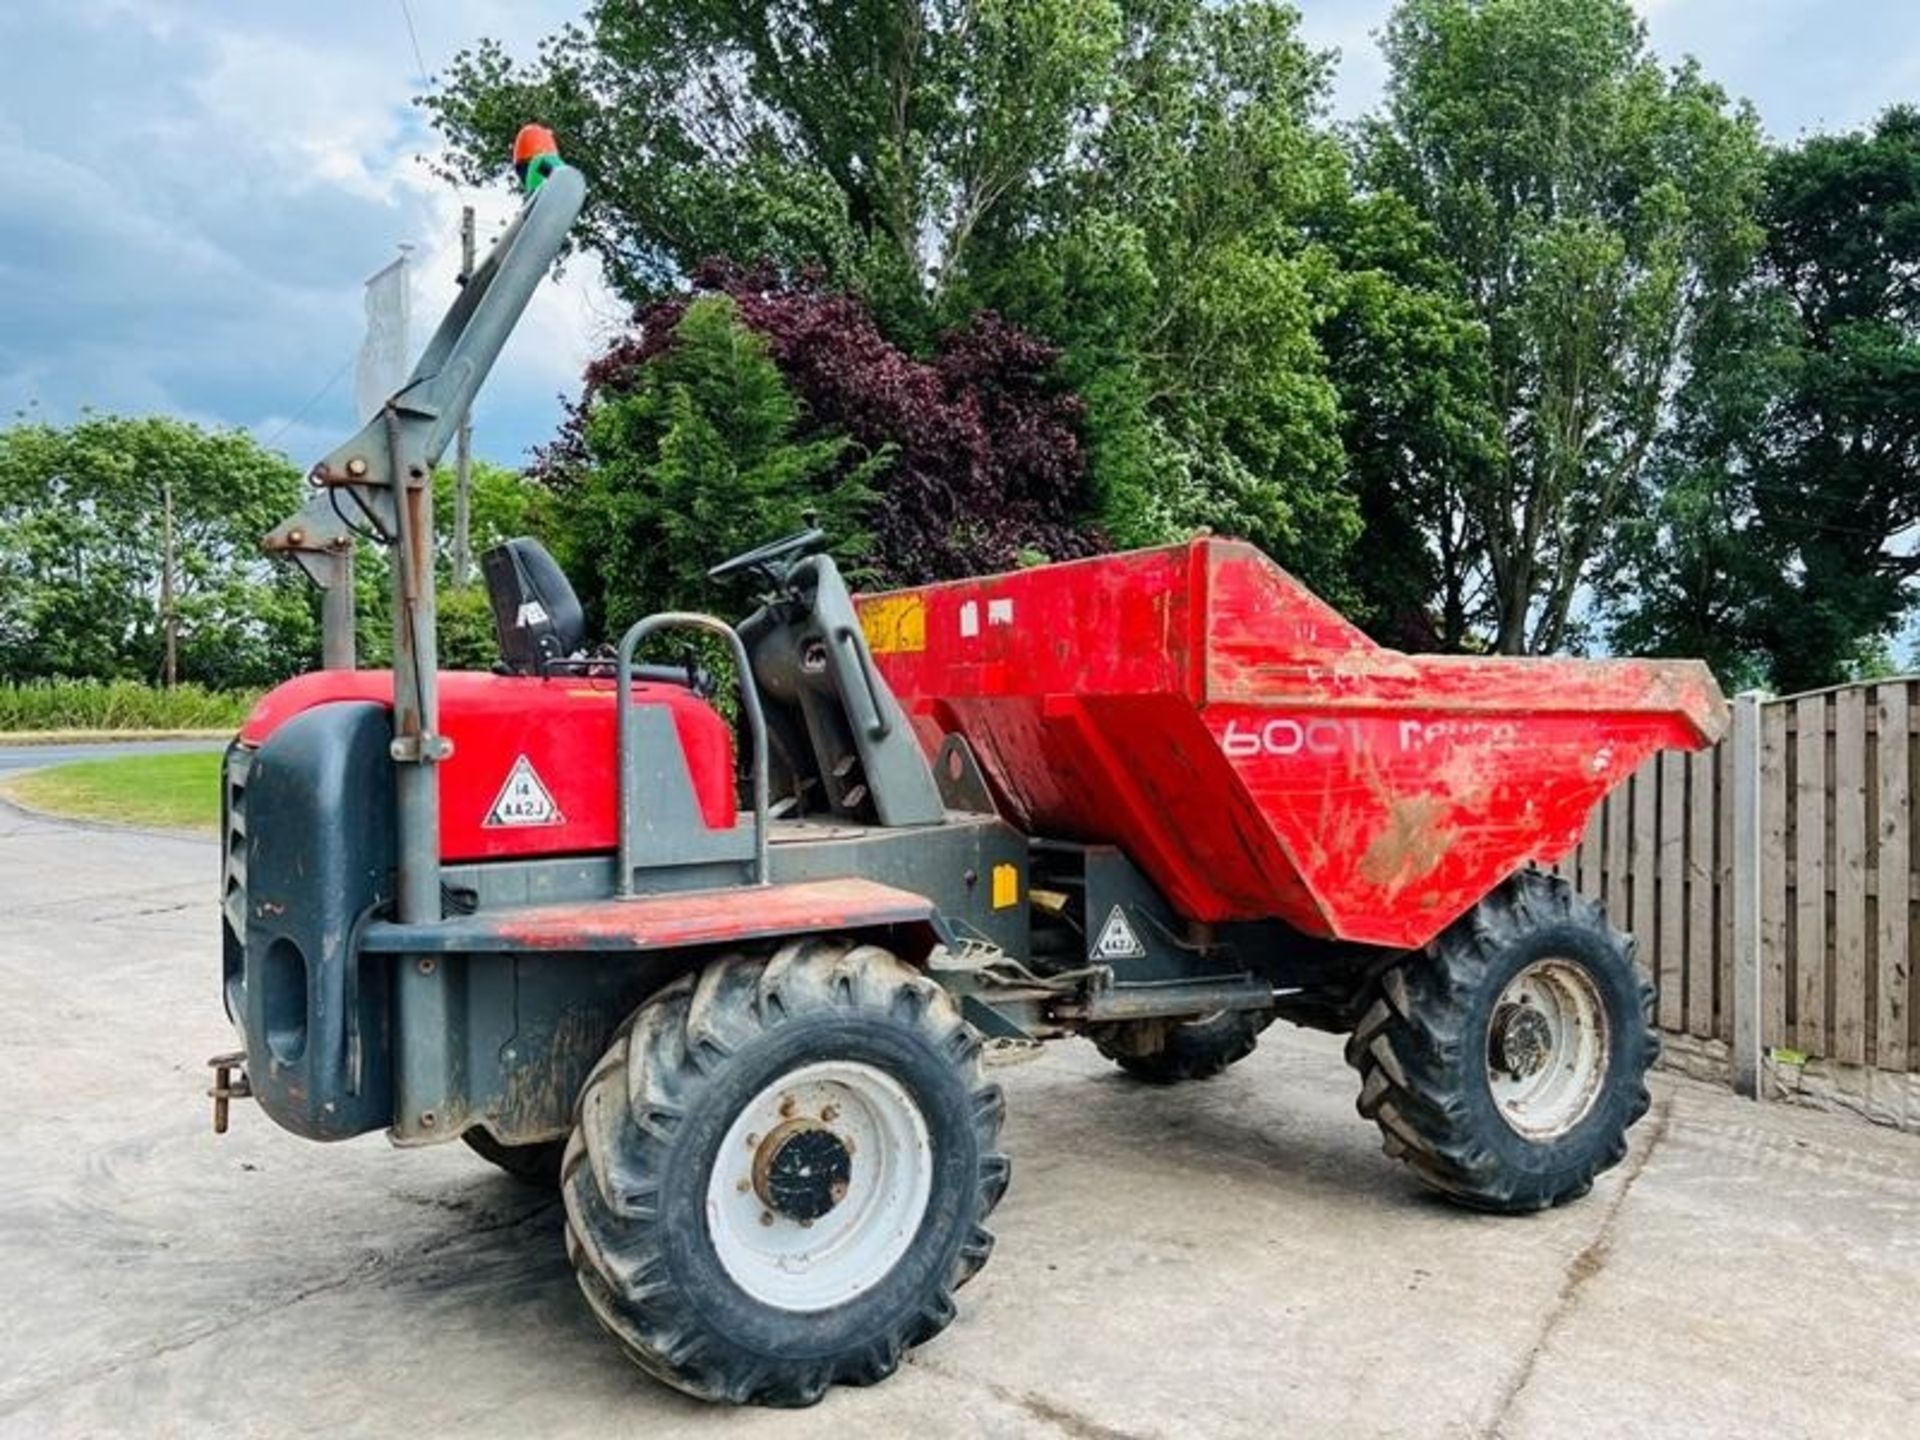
873	137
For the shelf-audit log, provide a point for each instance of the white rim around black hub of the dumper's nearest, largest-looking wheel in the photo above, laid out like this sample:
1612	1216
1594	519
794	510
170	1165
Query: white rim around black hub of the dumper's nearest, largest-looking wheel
809	1266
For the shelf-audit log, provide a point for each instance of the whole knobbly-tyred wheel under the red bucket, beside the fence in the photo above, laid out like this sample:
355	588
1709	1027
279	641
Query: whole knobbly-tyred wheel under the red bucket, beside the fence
1508	1061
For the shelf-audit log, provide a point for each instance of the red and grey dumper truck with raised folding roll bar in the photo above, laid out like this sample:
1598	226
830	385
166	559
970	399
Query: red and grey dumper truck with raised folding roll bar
727	972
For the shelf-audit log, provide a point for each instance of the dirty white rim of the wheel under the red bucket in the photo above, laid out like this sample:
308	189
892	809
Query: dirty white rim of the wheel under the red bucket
1547	1049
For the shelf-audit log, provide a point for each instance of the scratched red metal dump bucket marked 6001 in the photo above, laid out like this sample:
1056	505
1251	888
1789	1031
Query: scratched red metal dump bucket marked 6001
1257	754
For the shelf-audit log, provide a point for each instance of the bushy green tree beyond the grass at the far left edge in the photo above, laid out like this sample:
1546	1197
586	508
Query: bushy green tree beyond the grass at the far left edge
130	540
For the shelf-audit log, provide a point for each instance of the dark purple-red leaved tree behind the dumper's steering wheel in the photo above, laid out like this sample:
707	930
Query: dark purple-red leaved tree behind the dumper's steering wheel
988	469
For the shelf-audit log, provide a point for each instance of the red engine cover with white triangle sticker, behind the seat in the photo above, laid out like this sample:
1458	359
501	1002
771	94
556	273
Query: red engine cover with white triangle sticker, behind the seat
533	767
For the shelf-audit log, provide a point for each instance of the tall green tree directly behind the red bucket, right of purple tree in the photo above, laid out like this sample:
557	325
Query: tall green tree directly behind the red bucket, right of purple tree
1172	264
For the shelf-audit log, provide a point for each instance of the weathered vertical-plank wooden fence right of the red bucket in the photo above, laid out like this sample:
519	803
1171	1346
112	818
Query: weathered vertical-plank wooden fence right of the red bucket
1838	938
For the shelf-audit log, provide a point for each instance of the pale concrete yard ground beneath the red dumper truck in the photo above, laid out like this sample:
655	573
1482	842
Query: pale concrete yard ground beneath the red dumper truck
1232	1259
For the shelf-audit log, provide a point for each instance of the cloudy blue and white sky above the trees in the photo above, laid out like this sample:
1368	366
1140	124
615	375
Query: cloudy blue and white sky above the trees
197	189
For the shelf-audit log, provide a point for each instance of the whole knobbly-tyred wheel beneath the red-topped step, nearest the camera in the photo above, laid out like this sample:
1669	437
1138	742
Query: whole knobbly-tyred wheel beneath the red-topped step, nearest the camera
780	1172
